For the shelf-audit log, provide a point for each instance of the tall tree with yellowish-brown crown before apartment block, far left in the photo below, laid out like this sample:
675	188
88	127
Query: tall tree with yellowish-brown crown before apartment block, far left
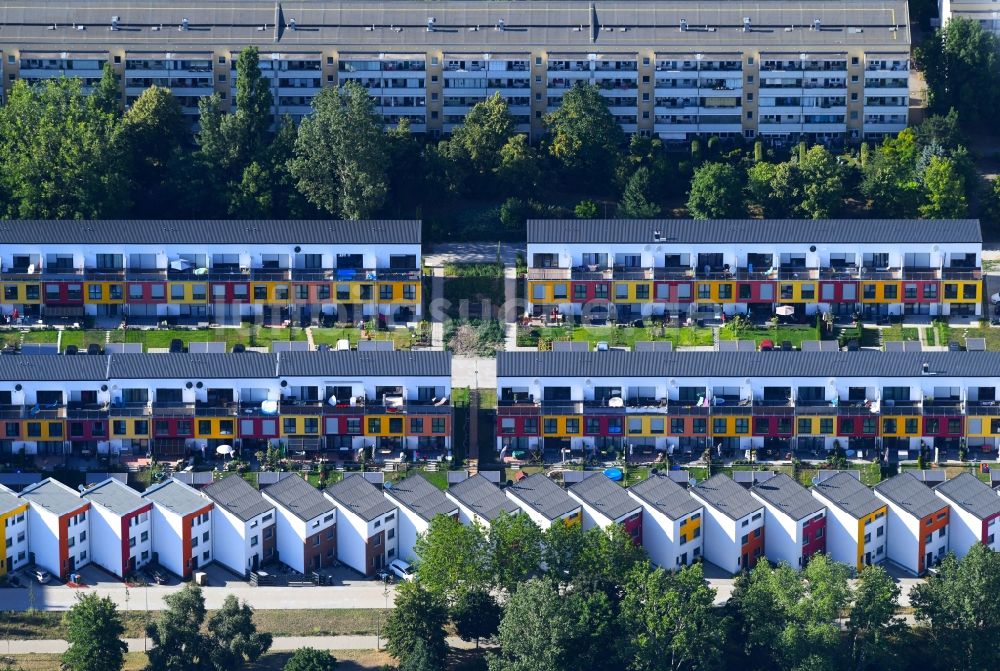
151	139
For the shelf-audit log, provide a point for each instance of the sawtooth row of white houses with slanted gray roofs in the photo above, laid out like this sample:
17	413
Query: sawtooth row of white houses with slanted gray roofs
365	525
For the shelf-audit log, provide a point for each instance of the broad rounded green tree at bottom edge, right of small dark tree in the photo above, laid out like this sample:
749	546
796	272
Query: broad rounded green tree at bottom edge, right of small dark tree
544	630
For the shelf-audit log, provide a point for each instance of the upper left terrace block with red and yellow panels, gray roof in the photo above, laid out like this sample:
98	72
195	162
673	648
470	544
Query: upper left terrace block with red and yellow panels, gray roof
200	272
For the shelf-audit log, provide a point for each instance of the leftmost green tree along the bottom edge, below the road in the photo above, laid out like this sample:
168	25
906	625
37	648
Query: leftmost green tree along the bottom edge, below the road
94	631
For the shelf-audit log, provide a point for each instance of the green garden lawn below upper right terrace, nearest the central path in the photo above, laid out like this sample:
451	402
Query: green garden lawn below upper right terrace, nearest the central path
542	337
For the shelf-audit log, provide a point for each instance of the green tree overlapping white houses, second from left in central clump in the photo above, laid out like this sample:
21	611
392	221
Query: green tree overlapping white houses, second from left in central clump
514	550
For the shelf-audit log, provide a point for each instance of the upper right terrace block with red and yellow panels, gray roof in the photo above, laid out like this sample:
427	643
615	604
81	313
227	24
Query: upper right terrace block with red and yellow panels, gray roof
631	269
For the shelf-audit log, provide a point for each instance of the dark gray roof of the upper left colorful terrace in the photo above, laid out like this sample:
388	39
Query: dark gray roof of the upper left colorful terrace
208	232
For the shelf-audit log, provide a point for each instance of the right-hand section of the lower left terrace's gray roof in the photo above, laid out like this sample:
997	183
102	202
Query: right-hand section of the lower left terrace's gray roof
340	363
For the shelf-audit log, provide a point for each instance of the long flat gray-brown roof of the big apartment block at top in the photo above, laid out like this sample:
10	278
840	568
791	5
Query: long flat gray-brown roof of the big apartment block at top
398	26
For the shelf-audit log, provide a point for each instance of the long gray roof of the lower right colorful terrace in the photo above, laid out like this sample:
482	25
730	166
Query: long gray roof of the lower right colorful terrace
746	364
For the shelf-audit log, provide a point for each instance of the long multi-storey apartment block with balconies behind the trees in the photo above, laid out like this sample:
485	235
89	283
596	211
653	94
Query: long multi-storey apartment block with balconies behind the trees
773	69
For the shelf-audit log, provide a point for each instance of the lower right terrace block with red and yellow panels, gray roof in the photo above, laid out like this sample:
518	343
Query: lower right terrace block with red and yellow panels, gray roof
644	404
